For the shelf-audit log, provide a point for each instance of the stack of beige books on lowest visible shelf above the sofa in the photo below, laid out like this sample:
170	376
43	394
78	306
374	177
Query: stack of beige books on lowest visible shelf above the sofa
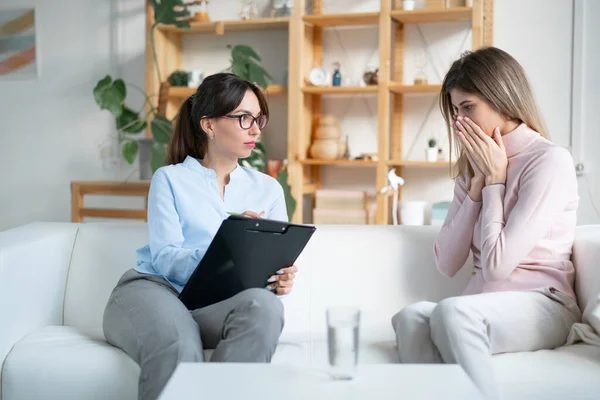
343	207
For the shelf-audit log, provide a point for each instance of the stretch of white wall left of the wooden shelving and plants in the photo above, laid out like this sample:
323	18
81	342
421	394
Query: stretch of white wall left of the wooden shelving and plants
51	126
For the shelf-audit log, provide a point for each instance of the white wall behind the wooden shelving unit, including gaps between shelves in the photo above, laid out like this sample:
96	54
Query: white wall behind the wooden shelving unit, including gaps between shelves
52	130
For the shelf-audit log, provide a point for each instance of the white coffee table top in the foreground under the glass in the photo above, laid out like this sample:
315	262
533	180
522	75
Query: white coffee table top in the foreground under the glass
277	382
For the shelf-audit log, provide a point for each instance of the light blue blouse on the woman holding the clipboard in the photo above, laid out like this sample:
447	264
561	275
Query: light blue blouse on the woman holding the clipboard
185	211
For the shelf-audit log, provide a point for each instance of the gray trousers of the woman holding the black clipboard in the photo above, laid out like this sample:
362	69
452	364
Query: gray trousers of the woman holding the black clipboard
145	318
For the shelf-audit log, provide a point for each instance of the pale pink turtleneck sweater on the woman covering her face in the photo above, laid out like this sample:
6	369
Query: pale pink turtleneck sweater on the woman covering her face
521	233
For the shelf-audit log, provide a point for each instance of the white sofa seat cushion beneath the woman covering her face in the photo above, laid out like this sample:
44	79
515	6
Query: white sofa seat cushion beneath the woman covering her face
568	372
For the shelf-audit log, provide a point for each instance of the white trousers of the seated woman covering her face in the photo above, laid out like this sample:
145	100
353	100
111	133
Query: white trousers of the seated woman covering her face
467	330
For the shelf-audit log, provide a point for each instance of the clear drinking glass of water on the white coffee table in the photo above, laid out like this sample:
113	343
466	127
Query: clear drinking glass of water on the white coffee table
342	341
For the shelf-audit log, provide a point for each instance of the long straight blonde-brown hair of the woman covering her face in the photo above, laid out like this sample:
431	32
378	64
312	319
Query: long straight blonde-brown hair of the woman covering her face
496	77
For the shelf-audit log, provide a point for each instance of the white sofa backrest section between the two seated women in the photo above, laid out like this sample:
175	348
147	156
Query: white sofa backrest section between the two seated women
379	269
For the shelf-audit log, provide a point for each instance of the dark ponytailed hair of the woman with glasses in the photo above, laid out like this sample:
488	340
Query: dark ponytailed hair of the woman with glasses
217	95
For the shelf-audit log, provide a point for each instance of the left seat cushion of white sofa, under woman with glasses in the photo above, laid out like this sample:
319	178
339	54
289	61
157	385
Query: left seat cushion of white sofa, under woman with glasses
62	362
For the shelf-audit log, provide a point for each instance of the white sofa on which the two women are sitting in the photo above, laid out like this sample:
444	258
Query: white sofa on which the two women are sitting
55	279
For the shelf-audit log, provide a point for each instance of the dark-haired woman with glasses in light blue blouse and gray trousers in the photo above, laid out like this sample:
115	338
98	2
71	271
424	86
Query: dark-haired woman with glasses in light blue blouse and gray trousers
189	198
